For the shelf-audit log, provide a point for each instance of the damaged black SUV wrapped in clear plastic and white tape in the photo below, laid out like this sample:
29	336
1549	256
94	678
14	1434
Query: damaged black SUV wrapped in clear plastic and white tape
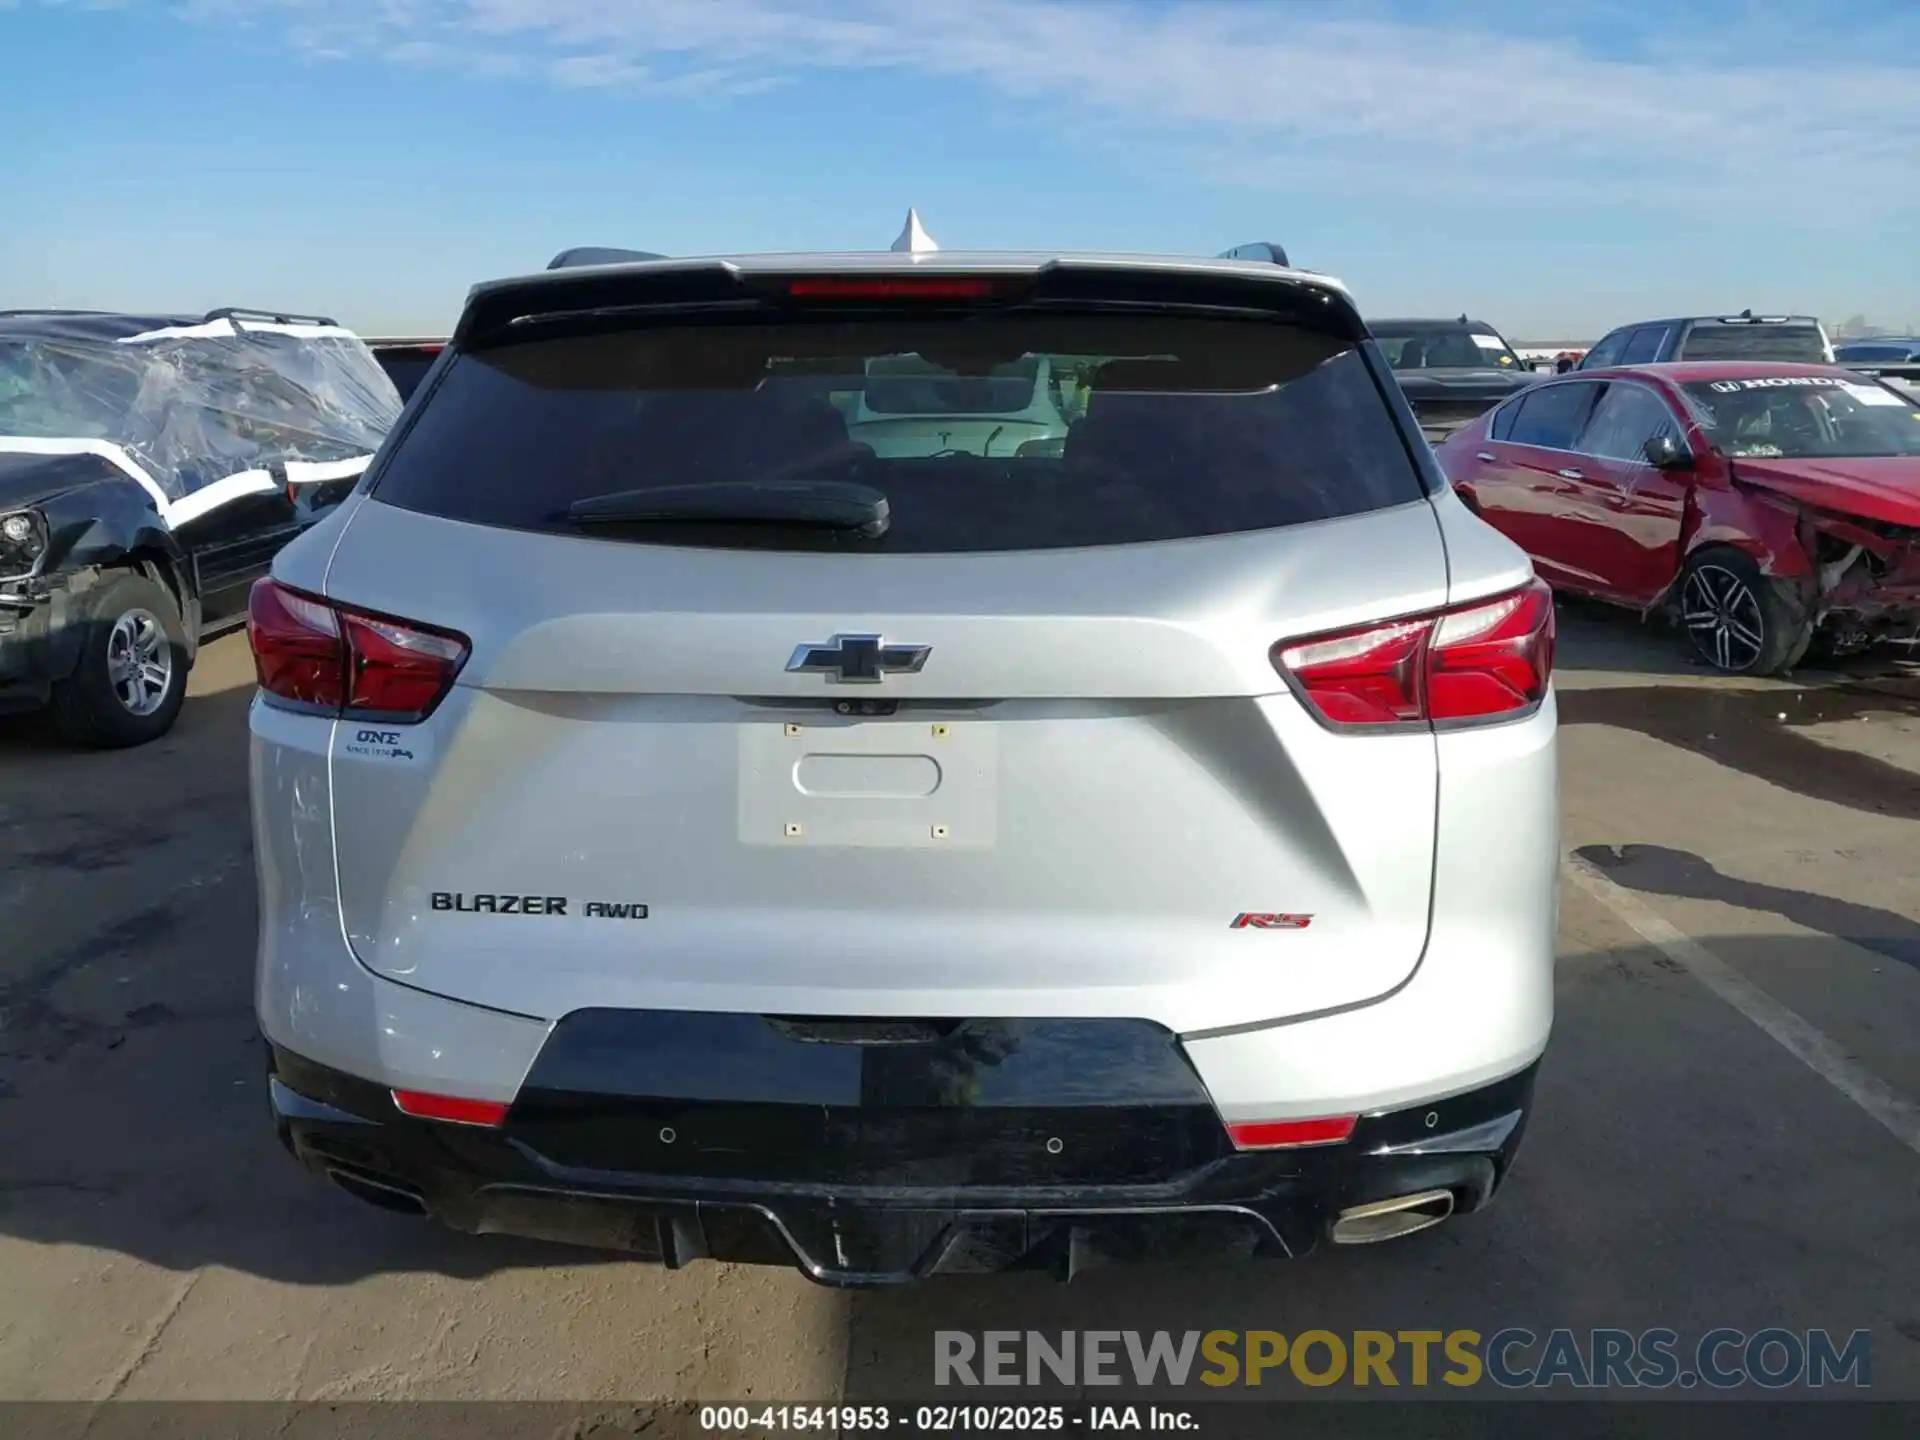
151	469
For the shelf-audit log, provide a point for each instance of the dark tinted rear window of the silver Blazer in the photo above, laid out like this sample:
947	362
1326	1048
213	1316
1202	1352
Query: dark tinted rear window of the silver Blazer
1145	429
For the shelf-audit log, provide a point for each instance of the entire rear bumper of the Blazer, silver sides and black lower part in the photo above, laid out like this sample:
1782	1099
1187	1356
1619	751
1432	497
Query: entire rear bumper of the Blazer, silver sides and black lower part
953	1191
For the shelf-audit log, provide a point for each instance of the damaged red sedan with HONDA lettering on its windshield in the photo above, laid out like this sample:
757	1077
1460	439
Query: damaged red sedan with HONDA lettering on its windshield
1769	506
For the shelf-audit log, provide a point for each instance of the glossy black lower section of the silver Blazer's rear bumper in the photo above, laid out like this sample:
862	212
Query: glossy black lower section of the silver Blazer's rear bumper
923	1170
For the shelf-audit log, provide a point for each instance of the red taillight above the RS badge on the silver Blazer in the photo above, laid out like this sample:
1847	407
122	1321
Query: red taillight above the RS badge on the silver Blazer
1476	661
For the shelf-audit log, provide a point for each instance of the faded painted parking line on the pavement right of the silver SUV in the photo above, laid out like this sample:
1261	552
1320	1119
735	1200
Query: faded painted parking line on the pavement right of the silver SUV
1810	1045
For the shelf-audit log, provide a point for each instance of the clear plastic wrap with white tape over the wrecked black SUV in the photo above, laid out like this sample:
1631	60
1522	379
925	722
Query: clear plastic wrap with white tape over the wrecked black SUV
195	410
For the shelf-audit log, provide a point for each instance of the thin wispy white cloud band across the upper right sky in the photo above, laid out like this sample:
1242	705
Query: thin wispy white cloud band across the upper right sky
1276	95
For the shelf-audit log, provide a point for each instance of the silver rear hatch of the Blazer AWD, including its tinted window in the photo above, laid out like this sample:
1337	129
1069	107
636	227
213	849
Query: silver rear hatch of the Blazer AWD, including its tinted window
1020	754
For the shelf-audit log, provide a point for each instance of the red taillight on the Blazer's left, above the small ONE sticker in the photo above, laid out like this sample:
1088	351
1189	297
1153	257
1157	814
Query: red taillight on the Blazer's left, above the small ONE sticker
341	661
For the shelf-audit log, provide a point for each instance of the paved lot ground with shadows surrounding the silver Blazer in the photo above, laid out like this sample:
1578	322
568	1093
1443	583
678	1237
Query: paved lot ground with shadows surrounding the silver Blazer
1683	1168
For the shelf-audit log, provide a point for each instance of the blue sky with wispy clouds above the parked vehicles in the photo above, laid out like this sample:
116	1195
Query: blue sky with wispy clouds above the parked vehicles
1550	166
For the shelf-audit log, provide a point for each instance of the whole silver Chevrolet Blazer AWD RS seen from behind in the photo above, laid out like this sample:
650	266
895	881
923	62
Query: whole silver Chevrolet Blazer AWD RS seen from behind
690	830
